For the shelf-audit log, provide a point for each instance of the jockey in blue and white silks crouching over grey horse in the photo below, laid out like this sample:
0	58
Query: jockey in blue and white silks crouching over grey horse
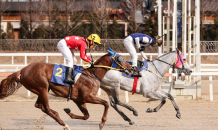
141	41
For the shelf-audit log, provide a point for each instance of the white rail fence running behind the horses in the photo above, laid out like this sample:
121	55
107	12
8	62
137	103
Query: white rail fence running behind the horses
205	72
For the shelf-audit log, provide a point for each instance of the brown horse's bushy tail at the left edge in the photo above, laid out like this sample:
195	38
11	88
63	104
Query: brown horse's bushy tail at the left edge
10	85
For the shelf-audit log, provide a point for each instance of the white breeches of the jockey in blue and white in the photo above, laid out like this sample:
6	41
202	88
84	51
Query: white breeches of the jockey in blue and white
129	44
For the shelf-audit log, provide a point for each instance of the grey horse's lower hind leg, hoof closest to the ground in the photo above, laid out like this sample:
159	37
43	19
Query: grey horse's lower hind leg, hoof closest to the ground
114	105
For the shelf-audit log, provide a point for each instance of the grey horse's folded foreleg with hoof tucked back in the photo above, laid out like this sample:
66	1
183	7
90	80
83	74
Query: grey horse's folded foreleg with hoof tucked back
157	96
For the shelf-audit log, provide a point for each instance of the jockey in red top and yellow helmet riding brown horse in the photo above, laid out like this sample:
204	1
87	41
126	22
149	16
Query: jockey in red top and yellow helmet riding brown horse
70	43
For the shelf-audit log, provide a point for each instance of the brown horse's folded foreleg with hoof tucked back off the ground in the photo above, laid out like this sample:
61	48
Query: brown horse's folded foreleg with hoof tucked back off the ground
82	108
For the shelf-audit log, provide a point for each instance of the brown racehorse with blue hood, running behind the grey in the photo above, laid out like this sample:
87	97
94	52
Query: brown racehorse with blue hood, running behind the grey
36	77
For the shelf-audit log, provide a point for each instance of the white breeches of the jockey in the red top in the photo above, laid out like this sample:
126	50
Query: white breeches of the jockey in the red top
67	53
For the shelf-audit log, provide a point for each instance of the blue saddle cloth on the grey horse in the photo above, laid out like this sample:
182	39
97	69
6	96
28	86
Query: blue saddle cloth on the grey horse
141	65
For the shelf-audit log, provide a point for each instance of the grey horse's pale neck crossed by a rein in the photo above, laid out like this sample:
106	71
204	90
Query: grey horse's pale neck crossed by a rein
164	67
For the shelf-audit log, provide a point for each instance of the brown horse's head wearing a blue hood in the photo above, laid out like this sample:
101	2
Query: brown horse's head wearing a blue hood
117	61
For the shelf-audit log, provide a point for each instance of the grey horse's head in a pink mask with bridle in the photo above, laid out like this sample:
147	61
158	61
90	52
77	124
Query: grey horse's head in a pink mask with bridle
181	63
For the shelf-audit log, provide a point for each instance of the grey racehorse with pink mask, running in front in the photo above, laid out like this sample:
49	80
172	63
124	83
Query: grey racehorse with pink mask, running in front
149	85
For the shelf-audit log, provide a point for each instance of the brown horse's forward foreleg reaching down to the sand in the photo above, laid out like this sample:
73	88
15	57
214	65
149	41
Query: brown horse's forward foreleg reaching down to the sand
95	100
